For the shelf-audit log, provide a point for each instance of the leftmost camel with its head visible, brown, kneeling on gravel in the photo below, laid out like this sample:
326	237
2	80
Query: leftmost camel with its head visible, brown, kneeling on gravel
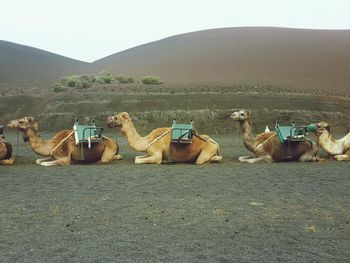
61	149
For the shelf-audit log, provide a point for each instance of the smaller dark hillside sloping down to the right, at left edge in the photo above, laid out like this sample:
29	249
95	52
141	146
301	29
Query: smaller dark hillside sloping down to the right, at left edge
27	67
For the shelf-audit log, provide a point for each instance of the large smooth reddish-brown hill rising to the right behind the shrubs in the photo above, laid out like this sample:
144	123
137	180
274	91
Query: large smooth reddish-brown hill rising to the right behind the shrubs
306	60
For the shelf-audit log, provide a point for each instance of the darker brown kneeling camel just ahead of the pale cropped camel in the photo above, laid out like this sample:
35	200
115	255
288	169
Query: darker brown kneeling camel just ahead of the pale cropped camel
267	147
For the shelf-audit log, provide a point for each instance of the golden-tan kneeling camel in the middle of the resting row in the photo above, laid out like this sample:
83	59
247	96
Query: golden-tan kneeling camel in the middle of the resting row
157	144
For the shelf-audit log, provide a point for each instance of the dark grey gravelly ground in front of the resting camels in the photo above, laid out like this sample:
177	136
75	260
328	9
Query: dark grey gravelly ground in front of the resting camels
227	212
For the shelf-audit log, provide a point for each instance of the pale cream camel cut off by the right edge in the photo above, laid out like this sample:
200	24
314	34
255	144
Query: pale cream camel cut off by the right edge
338	149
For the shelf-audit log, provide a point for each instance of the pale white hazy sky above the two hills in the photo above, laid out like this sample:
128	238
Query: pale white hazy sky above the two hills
88	30
